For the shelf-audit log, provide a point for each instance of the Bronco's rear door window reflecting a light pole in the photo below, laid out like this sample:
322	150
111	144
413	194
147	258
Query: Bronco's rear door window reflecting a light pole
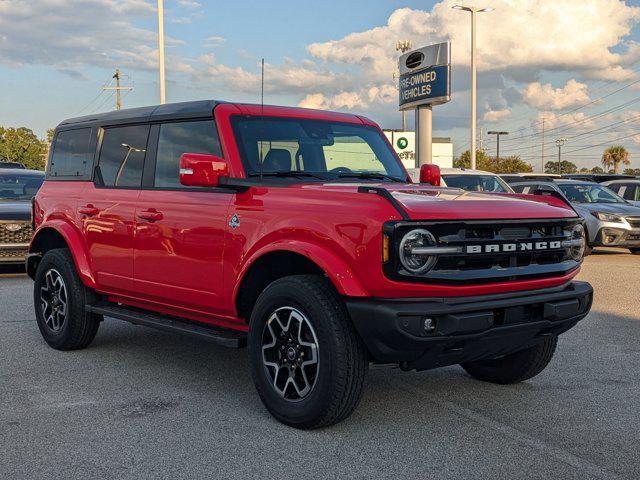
122	156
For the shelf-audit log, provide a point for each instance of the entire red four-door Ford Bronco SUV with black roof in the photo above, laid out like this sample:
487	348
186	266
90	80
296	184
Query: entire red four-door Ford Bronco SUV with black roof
299	234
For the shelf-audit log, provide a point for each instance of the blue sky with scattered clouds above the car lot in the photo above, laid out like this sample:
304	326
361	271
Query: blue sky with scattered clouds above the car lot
563	60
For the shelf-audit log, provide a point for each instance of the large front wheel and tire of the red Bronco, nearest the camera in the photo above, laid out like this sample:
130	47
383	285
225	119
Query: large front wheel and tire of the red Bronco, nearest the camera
307	361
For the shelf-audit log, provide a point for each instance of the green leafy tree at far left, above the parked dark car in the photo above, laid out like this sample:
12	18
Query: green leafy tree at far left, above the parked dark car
22	145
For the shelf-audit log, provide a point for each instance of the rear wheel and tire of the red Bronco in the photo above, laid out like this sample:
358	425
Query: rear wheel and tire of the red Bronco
60	298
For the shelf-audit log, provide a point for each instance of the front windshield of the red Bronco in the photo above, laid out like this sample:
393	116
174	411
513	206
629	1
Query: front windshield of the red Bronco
315	149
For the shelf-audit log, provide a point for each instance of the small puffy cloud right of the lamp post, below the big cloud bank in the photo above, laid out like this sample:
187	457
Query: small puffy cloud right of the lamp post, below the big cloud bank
545	97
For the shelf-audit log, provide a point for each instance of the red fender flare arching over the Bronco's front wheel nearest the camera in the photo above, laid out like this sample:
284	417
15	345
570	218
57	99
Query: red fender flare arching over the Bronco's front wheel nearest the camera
337	270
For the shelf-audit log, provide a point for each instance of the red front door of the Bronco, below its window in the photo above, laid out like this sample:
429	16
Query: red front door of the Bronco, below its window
179	246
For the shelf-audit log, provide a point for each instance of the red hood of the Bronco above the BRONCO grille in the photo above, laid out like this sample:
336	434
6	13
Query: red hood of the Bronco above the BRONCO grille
422	202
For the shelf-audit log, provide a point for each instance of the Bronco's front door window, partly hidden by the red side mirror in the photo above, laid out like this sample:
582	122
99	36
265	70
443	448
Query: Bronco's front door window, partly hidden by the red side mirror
178	138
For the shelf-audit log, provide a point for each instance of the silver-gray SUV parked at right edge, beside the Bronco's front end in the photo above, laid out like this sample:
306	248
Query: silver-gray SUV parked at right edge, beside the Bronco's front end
610	220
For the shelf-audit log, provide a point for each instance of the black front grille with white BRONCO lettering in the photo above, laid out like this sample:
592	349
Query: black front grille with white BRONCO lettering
490	251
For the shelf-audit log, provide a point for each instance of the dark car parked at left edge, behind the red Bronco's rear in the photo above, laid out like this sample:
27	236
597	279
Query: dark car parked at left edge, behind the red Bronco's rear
17	188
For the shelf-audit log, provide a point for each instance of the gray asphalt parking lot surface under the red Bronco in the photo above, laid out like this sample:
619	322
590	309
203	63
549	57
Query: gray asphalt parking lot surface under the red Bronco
143	404
